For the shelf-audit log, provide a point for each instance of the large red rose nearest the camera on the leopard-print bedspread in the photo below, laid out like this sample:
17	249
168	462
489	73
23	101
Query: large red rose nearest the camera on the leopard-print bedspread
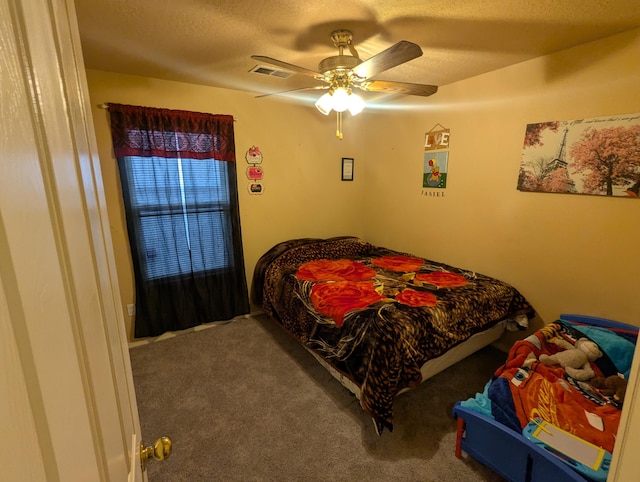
335	299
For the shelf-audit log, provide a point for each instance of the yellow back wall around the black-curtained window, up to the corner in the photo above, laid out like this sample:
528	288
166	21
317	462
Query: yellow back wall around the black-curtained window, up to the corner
303	192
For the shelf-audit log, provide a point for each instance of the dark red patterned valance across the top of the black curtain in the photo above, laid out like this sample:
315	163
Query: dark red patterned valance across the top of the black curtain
147	132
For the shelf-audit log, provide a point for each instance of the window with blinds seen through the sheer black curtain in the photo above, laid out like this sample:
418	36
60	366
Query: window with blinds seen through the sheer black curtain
182	208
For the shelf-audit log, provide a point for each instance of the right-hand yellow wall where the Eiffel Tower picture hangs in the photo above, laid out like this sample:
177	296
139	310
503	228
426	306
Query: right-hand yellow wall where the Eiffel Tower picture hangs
565	253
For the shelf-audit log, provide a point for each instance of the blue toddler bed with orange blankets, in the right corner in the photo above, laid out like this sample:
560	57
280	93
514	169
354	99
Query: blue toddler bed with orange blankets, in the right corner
502	426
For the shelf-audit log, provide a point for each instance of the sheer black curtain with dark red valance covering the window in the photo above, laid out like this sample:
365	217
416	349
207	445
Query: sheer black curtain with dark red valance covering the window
179	186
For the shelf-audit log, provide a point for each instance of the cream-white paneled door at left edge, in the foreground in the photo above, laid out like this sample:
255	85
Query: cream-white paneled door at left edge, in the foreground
67	404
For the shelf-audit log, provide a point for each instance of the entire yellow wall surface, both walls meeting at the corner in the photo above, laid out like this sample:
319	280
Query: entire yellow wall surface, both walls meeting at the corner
565	253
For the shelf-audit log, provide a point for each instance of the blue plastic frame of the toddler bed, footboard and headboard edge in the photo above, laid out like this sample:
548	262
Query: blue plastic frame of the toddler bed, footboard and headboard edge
508	452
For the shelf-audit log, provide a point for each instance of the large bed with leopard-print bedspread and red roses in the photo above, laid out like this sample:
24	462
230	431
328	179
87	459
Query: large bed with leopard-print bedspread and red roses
379	320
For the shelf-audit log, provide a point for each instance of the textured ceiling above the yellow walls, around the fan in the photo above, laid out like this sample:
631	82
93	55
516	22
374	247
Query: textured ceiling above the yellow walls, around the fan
210	42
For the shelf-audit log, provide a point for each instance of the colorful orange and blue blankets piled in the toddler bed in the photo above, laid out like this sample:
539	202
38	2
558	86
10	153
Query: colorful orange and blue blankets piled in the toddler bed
525	388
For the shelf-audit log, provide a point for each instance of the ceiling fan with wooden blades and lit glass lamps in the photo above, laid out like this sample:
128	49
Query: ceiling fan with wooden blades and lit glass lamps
342	74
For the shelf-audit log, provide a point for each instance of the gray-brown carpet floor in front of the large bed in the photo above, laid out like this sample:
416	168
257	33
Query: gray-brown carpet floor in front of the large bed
244	402
